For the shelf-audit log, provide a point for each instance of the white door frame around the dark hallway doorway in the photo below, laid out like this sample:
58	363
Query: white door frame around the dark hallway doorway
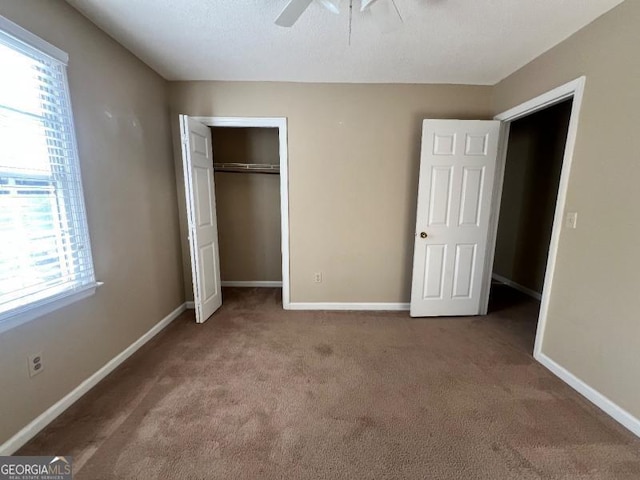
575	90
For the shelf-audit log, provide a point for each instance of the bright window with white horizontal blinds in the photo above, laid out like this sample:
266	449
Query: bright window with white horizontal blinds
45	255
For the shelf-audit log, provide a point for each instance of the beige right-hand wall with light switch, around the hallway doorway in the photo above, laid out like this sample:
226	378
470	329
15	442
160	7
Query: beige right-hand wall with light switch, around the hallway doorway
593	327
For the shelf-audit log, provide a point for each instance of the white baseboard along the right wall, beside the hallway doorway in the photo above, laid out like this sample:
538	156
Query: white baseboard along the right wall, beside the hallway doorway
612	409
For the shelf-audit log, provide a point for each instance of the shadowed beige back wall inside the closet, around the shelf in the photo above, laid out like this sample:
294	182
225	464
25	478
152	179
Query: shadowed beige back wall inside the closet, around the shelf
248	205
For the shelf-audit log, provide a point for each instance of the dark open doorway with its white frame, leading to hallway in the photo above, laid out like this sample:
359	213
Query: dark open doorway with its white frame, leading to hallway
533	276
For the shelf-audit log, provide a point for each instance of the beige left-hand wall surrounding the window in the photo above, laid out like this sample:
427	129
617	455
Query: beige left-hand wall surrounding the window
124	140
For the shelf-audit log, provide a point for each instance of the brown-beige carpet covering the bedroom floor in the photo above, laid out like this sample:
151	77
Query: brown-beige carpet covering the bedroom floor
260	393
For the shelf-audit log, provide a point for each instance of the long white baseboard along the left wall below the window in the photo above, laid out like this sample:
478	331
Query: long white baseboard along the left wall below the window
44	419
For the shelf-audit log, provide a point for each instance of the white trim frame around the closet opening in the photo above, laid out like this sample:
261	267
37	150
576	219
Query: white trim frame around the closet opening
281	124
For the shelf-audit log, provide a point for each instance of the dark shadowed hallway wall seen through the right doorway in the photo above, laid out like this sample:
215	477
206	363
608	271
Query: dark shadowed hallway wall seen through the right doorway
532	174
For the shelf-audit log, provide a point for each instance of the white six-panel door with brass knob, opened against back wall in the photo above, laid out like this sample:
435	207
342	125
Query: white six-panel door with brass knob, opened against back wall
457	171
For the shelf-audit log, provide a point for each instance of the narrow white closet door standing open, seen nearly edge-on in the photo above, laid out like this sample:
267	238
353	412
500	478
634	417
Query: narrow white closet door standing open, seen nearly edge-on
197	160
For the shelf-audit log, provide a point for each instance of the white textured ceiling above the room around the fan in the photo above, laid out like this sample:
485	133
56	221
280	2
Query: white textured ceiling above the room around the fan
441	41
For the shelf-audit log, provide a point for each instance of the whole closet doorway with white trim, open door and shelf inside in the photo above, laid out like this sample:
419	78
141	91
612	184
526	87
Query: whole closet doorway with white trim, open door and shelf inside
220	145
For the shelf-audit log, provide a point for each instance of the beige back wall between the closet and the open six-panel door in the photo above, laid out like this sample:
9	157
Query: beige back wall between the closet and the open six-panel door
353	165
